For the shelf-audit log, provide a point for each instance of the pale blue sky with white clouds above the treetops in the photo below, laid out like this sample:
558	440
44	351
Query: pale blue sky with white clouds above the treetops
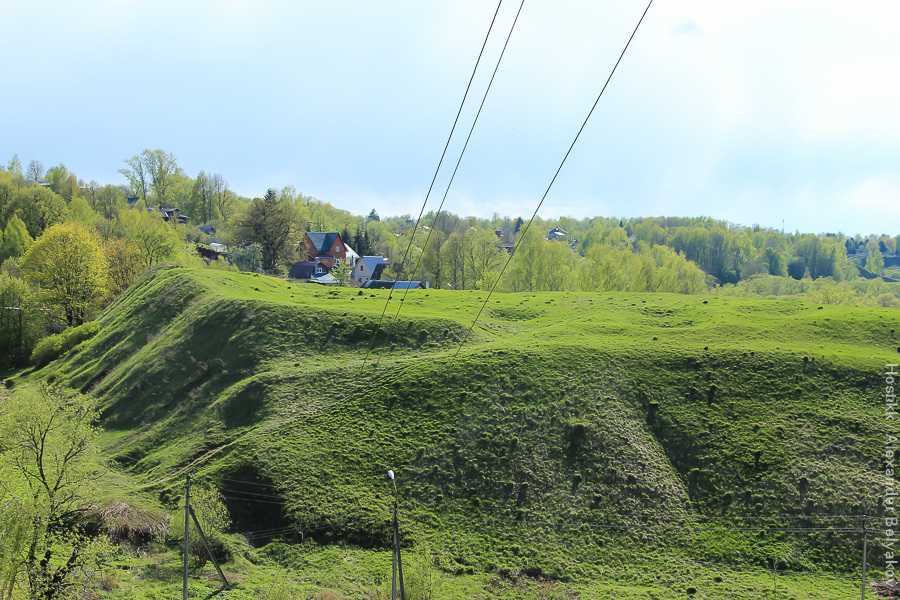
782	113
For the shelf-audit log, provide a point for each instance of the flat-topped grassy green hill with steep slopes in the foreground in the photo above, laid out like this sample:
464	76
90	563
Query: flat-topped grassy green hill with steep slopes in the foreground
592	444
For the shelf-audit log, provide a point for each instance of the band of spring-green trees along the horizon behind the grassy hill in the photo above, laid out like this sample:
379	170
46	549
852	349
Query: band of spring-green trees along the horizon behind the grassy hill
68	246
